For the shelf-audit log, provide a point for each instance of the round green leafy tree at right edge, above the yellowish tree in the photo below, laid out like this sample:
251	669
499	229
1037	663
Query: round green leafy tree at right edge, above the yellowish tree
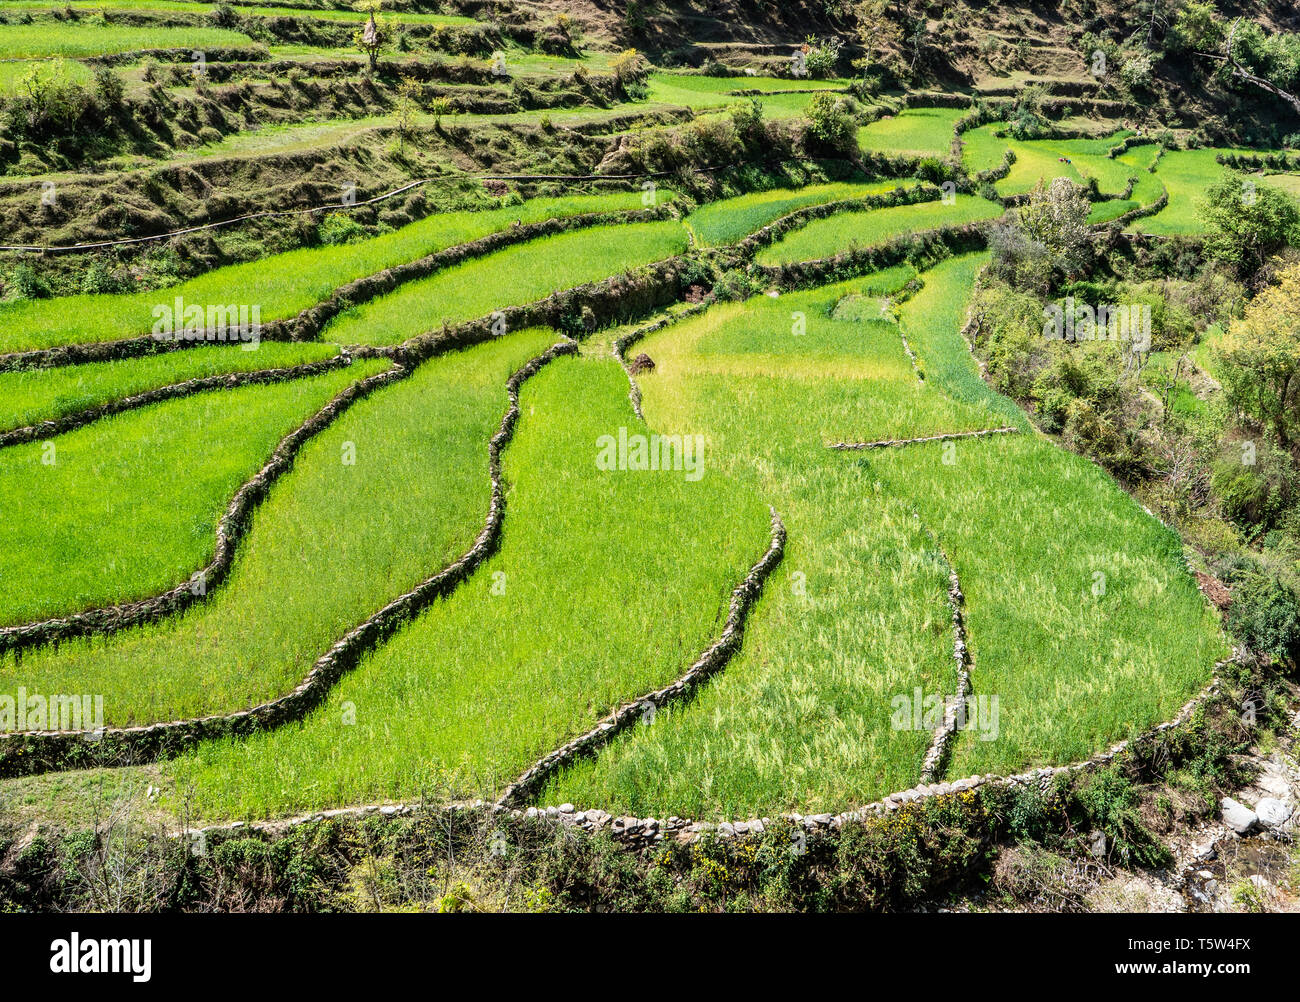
1249	223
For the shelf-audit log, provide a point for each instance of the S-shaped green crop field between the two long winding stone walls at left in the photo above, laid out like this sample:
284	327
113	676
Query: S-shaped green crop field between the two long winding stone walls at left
330	546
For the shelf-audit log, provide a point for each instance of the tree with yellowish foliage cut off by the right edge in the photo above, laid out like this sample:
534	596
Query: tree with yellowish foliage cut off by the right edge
1260	359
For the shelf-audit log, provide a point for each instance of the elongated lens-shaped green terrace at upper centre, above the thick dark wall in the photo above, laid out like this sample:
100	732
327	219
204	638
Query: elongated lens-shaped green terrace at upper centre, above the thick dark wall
515	276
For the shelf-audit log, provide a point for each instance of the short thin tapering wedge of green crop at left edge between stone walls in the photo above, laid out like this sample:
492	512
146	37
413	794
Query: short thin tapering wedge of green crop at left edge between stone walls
32	396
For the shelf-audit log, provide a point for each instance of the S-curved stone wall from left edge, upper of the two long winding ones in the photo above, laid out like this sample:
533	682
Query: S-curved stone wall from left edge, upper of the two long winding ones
231	531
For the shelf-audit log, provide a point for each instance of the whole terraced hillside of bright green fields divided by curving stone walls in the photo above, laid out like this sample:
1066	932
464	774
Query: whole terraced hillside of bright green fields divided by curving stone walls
444	548
